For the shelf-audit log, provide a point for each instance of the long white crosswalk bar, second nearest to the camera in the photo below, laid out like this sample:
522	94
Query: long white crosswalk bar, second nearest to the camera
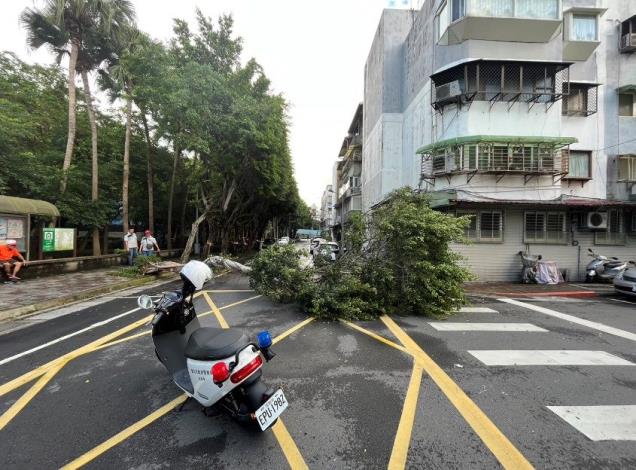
529	357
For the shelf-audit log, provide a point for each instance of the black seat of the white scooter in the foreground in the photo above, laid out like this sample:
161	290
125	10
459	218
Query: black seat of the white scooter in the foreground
215	343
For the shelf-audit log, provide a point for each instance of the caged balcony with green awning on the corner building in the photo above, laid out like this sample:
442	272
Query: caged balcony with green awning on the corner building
499	155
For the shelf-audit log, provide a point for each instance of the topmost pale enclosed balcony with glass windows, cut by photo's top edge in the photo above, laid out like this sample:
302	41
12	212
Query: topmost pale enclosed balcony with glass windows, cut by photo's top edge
532	21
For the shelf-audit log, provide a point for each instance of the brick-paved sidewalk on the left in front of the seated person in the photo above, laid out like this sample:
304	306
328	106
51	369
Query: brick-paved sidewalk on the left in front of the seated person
51	291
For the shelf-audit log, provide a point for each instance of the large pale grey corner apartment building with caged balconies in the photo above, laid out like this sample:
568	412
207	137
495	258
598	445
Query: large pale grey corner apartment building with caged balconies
516	113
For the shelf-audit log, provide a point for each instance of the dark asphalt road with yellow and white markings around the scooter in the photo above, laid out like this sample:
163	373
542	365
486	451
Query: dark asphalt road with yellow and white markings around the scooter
355	401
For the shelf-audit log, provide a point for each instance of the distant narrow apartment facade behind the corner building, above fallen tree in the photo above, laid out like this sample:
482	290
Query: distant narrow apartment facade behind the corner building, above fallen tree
346	176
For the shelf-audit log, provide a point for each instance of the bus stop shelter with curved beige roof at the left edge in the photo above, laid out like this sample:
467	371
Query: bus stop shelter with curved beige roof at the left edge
16	218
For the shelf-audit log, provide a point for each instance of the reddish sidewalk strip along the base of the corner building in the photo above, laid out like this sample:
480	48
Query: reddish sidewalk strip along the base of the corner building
510	289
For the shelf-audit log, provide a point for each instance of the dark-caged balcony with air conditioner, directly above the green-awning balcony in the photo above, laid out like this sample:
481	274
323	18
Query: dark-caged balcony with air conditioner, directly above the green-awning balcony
507	81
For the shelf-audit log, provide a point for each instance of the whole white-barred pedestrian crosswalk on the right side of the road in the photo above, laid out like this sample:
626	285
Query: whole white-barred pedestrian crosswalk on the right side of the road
598	422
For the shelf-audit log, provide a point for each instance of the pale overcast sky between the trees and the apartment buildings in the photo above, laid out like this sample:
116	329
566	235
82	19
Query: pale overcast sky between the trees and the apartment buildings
314	53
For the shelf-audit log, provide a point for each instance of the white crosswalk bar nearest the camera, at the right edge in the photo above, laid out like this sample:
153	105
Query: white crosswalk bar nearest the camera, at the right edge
601	423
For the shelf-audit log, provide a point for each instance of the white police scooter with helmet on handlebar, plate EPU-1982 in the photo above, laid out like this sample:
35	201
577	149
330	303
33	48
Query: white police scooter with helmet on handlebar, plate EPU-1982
219	368
